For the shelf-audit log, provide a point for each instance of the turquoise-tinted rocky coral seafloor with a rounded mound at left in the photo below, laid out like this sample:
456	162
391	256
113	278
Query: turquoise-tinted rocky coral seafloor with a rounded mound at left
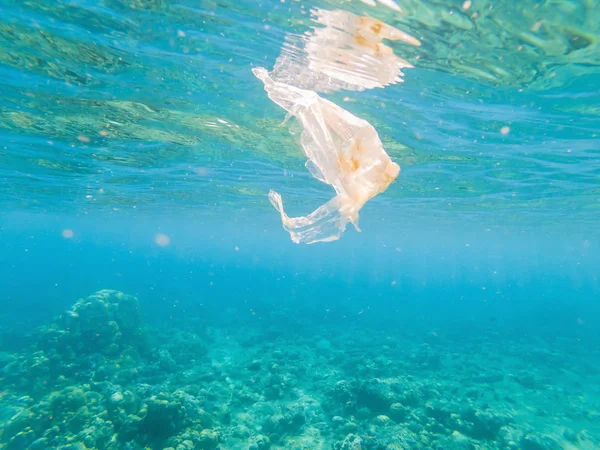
100	377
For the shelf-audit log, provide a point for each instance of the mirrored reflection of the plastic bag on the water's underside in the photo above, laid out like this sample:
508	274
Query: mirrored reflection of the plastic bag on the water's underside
347	53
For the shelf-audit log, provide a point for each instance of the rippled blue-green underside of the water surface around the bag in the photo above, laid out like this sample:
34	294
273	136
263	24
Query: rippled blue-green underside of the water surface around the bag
143	100
